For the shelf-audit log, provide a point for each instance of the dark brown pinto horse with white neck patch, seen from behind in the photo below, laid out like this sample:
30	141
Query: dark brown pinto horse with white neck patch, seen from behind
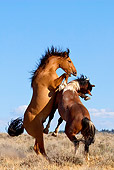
75	113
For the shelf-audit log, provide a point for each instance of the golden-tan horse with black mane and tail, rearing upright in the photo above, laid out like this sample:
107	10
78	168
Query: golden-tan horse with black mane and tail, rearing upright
45	82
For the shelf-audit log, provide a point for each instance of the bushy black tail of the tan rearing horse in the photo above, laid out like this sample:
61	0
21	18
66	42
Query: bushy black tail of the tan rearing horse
16	127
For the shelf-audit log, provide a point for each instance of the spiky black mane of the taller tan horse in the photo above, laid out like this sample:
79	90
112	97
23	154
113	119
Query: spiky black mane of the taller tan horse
44	60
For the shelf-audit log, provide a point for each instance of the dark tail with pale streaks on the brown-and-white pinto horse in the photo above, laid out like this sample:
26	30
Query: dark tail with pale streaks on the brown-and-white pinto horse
88	130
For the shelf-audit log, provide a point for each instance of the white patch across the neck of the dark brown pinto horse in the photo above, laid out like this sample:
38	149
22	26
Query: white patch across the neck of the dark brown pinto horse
73	86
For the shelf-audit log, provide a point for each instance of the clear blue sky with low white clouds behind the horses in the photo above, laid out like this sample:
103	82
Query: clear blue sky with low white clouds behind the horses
28	27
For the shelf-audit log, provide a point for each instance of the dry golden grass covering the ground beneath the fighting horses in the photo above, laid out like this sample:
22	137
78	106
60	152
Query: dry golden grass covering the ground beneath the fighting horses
17	153
